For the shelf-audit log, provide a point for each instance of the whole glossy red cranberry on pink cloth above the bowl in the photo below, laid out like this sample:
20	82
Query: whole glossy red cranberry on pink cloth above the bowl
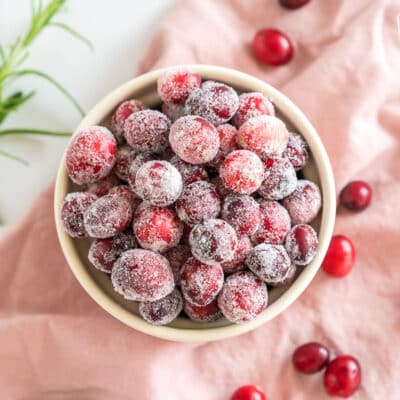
272	47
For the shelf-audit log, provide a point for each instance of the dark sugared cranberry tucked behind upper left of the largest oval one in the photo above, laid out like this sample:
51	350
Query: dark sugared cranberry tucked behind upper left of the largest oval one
104	252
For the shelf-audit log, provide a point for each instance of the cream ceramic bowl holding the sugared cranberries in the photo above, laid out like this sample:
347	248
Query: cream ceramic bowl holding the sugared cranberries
98	284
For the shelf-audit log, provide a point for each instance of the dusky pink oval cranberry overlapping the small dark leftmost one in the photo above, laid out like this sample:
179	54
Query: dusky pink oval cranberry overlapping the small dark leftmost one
107	216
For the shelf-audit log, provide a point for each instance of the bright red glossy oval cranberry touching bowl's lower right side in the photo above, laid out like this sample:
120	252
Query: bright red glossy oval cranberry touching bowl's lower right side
340	257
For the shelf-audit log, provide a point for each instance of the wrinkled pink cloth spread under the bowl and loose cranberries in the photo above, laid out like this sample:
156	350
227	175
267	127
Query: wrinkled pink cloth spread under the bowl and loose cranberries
56	343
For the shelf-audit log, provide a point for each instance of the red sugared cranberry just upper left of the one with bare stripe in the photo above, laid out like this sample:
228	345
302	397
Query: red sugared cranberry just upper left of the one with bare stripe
275	223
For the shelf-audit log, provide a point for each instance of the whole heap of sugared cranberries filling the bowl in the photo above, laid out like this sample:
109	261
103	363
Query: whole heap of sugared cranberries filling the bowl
194	207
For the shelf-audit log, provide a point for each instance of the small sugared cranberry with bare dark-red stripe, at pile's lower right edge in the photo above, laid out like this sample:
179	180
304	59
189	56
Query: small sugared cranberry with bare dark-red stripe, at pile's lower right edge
301	244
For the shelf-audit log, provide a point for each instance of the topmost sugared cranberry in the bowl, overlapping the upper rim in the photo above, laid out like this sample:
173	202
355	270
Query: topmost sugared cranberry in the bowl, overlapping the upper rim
175	85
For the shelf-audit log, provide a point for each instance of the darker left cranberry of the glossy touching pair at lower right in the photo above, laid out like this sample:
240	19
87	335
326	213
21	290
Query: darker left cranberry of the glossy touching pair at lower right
310	358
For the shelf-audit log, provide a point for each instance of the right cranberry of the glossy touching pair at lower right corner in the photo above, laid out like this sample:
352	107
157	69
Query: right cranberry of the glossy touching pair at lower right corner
343	376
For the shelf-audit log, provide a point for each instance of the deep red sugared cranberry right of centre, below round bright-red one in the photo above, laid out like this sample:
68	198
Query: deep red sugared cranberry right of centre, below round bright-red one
242	212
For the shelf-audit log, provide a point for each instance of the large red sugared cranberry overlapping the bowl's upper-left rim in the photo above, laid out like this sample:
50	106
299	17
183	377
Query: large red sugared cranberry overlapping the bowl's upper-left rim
91	155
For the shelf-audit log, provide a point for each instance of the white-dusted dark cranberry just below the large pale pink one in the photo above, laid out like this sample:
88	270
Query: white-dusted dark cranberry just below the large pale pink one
279	180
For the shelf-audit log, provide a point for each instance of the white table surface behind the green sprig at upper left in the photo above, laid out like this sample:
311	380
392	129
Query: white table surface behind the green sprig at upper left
120	31
